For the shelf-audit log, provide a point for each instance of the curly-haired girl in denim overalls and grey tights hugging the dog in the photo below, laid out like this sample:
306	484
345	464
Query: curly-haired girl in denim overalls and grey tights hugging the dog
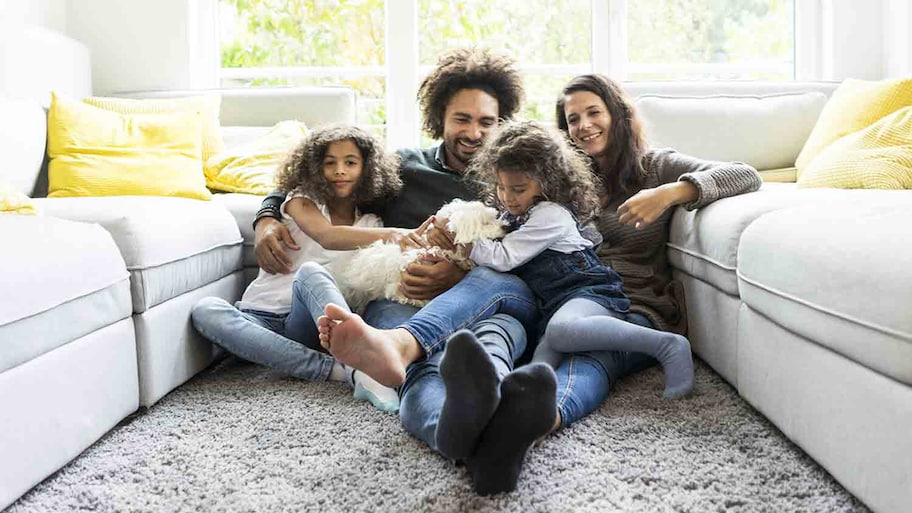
547	191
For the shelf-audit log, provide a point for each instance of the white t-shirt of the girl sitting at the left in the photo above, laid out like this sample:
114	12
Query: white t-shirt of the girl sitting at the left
272	292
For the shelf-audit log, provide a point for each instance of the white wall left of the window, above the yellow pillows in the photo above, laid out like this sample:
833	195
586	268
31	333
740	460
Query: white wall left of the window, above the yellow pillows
144	45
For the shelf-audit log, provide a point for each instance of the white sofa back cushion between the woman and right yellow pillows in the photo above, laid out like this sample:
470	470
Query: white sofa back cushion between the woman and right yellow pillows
762	123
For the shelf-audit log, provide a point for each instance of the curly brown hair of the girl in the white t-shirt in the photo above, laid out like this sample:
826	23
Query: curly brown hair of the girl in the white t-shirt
303	168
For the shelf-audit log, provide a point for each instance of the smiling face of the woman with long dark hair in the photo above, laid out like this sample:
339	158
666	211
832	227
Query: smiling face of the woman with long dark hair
588	122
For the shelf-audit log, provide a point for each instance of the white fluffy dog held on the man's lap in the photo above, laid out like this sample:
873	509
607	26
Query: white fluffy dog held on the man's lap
374	272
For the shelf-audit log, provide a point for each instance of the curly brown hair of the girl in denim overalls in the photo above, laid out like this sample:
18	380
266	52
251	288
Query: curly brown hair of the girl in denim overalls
545	155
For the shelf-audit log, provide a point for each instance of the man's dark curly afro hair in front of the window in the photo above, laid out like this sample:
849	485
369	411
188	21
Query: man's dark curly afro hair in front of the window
469	68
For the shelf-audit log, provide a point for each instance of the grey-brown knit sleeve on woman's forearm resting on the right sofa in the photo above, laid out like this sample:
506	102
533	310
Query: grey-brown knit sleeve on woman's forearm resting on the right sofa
713	180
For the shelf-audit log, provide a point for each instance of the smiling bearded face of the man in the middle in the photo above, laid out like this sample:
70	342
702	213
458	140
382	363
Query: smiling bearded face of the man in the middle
469	116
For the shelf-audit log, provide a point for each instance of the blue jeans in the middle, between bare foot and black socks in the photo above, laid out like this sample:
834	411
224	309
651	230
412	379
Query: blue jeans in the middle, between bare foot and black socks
494	306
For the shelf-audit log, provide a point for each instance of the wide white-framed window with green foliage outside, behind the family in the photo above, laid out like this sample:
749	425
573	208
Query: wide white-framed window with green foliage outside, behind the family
383	48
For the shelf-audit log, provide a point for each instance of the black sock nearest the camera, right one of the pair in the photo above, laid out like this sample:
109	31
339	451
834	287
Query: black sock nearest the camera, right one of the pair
527	411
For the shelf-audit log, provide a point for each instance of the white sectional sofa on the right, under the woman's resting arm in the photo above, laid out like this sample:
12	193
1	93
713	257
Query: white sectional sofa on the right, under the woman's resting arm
800	298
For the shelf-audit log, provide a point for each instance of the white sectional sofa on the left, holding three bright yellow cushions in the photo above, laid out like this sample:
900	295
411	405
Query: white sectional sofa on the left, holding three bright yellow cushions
95	293
